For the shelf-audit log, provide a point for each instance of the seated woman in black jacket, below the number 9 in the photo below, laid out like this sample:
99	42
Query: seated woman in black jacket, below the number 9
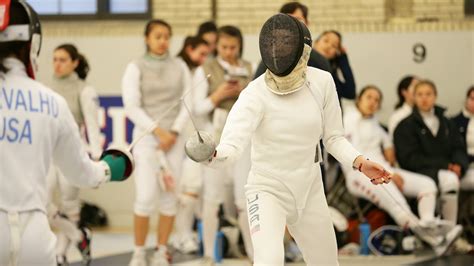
428	143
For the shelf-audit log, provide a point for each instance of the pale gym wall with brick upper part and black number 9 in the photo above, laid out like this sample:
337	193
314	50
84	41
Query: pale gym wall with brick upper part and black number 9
385	40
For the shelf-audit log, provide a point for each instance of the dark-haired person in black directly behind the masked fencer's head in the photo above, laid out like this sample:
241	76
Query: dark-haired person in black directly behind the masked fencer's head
300	12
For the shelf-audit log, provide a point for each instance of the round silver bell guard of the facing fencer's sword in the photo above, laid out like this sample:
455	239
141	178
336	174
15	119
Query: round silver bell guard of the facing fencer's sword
200	147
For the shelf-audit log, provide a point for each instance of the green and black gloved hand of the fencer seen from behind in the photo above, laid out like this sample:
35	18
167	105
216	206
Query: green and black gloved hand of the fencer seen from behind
120	162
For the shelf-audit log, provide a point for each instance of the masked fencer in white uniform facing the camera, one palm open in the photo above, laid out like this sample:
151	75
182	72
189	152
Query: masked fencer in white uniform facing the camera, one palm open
283	114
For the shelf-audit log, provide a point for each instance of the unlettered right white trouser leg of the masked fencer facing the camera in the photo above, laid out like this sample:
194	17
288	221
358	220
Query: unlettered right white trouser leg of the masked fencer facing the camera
313	231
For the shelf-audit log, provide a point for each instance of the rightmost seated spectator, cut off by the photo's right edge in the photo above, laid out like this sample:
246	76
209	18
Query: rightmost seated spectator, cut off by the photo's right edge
465	124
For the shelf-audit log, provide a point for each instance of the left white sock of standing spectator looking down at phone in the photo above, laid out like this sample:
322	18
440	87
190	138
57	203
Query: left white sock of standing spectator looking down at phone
210	223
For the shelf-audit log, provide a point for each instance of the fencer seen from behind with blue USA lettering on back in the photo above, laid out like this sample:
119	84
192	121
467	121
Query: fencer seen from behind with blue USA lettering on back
36	128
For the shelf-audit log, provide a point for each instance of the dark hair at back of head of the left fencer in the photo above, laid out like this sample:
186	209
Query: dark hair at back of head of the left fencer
19	49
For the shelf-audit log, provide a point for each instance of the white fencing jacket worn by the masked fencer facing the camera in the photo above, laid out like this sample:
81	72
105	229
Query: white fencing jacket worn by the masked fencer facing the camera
285	132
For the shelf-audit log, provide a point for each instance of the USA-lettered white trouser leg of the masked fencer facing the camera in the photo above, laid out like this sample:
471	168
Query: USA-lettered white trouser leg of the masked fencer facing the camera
267	220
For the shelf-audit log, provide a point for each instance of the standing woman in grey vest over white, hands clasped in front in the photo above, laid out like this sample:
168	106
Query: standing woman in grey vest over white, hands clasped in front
152	85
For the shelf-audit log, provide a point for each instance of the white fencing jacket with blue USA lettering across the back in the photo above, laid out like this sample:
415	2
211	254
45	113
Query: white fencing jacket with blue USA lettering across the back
36	127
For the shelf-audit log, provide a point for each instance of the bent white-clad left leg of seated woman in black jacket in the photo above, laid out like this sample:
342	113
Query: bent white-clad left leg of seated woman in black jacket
424	189
